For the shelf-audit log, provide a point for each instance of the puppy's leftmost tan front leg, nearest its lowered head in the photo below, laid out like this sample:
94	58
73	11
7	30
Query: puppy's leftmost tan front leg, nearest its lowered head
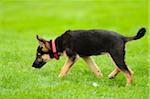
67	66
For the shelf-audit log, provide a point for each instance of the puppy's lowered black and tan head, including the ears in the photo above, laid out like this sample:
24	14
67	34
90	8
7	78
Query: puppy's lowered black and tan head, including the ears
43	54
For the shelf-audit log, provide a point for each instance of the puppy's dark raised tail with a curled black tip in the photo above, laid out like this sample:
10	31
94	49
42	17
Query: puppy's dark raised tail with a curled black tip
139	35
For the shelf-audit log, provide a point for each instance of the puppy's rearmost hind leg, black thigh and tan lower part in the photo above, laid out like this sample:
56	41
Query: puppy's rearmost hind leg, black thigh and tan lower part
118	57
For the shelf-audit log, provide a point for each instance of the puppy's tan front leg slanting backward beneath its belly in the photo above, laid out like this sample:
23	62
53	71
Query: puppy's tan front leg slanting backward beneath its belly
93	66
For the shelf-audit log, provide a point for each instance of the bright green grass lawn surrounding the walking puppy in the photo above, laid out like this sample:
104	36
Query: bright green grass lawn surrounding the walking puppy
21	20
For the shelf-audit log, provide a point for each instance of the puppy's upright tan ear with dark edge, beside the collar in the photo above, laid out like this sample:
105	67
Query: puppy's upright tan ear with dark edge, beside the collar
43	43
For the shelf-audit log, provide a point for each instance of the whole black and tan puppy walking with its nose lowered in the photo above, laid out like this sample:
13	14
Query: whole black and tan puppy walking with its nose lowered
85	43
